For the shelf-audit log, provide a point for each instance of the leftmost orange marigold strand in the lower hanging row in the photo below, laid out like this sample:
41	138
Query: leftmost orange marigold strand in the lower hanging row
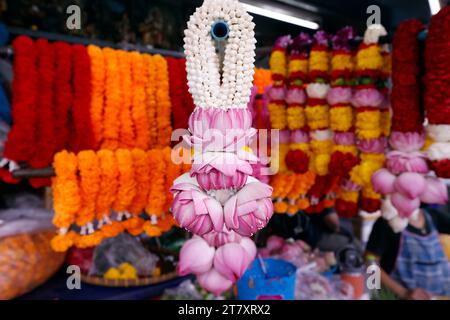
66	198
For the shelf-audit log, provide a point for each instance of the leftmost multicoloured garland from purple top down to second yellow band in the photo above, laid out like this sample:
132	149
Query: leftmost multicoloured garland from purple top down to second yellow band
278	67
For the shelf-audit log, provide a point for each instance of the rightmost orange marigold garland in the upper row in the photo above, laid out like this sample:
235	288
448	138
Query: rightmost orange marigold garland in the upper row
163	102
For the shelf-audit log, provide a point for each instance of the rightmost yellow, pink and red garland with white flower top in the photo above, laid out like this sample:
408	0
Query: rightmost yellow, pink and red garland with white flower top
367	101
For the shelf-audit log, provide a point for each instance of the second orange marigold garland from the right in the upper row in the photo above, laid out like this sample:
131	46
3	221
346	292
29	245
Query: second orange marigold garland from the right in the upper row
139	111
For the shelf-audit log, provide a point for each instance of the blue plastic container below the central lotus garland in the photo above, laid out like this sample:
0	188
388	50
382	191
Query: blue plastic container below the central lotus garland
278	284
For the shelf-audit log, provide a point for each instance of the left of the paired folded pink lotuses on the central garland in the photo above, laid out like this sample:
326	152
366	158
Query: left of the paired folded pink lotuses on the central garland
193	209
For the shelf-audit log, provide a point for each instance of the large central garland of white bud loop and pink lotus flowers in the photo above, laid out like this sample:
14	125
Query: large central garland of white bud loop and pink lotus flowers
219	201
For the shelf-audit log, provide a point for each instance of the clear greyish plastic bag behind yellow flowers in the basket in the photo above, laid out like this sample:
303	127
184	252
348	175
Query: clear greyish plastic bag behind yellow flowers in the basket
123	248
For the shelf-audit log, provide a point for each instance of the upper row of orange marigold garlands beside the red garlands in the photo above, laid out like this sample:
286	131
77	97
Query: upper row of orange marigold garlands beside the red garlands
130	104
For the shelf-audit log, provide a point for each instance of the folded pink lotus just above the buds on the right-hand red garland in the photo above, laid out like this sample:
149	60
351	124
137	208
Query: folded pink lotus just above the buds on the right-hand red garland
398	162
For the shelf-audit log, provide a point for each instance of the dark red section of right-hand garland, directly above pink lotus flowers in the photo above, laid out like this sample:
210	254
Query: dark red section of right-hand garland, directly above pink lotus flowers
407	114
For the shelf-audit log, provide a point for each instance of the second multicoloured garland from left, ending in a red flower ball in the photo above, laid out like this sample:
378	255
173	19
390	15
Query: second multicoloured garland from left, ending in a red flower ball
297	159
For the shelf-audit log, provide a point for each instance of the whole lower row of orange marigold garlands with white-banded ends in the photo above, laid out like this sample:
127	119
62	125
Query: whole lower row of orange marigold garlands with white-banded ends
98	195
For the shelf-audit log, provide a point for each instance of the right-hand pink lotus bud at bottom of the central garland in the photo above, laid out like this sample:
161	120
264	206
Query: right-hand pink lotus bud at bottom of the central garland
232	259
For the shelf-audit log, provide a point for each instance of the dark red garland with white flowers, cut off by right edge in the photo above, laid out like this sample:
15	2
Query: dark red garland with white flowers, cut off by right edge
437	104
